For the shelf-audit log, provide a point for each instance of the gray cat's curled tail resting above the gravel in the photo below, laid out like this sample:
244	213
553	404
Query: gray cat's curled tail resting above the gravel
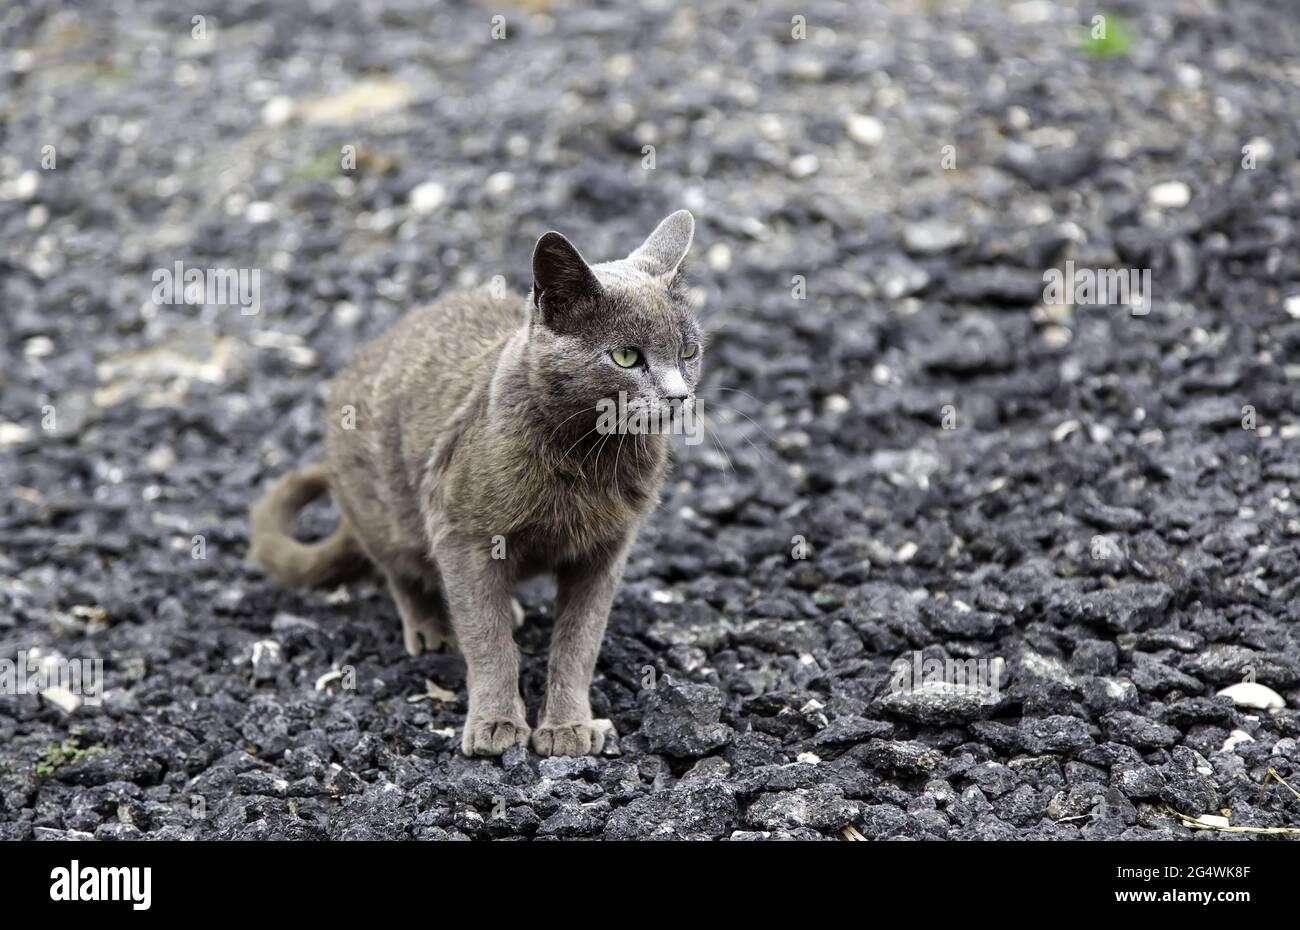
332	561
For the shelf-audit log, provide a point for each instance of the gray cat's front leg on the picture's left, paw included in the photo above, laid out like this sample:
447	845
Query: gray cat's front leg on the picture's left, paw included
479	591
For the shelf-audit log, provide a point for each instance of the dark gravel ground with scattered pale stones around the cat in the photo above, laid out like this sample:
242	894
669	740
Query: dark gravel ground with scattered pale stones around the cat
1065	494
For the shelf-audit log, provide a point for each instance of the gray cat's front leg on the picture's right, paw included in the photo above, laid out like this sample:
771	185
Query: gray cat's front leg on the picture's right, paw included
584	595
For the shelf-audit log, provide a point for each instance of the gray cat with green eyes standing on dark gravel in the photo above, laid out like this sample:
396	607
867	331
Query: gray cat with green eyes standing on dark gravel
466	452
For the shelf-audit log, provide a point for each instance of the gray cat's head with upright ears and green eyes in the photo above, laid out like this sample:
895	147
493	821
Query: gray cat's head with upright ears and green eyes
616	330
